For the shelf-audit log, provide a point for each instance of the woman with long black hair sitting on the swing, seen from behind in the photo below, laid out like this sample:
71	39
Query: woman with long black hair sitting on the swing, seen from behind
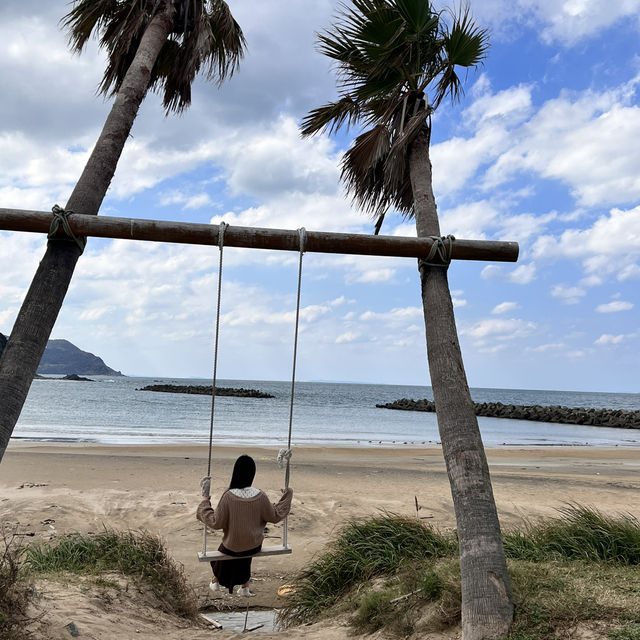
242	514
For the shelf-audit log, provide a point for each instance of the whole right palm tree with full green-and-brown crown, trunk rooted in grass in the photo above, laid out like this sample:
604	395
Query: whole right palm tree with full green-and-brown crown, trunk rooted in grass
396	61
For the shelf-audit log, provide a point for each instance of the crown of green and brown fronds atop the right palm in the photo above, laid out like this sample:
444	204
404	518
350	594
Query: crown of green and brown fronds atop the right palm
389	55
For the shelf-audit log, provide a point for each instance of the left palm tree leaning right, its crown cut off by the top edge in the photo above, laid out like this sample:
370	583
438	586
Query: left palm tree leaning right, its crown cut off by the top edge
157	44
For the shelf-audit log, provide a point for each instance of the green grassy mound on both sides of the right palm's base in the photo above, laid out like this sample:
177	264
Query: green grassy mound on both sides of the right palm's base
579	568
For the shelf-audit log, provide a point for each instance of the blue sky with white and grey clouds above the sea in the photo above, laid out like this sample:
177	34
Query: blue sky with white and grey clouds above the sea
542	150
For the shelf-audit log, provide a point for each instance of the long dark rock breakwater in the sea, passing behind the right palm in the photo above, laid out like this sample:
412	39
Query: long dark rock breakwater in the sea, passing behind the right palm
617	418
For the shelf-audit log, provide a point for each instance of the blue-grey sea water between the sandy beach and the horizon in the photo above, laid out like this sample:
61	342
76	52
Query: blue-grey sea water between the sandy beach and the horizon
111	410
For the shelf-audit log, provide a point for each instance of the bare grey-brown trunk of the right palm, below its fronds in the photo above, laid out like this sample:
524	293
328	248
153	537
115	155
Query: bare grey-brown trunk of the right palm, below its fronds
487	611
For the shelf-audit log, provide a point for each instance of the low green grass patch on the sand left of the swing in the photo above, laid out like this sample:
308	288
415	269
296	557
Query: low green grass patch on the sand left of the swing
139	555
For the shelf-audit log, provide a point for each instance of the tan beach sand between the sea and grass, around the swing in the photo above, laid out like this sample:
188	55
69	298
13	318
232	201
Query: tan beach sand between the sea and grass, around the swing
49	490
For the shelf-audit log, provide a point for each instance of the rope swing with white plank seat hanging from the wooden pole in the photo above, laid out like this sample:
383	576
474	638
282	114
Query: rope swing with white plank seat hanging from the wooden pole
283	549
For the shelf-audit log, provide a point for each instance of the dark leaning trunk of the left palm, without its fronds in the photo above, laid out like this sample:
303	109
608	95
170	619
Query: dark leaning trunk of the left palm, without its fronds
44	299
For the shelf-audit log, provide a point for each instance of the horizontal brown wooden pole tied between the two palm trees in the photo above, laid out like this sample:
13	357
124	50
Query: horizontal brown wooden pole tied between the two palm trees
255	237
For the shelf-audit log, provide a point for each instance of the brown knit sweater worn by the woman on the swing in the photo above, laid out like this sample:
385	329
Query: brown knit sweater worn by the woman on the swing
242	520
